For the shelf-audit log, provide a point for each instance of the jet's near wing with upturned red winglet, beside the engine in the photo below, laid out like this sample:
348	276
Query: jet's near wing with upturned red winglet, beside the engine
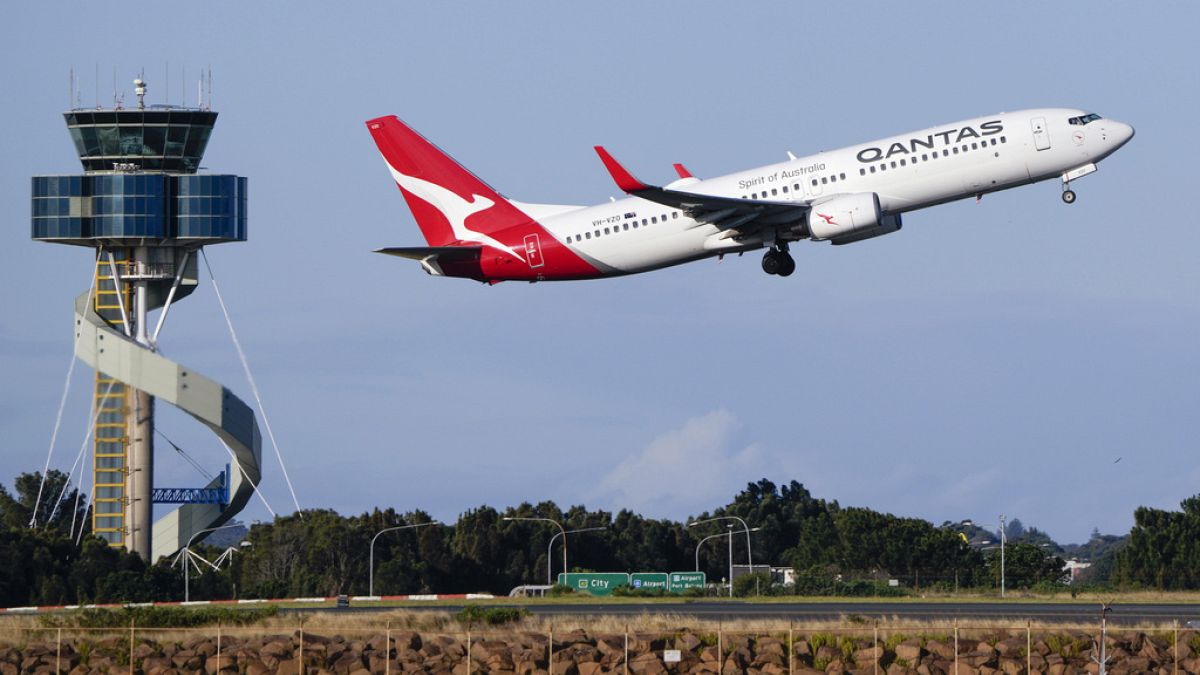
727	213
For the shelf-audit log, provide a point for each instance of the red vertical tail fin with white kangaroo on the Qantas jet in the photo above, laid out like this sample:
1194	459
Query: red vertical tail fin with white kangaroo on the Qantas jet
441	193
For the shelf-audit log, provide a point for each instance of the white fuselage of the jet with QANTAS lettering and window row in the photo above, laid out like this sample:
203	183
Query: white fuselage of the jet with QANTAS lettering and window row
908	172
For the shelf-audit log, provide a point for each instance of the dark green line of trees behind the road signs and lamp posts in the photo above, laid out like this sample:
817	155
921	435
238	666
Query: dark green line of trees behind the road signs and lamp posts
322	553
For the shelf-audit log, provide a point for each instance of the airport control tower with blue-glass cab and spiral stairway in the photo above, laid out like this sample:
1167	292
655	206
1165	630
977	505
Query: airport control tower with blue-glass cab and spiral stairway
147	212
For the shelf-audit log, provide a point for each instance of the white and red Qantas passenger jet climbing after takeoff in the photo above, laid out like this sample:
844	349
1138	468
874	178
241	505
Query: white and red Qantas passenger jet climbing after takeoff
839	196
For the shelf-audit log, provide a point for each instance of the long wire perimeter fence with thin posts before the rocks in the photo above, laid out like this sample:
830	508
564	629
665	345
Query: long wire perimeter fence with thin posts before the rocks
959	649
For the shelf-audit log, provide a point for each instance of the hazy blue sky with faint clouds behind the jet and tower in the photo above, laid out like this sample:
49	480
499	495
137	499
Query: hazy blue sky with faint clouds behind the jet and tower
991	359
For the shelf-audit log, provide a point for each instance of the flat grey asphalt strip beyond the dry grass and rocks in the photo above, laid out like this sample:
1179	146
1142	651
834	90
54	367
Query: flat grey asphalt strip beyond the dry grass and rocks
1017	612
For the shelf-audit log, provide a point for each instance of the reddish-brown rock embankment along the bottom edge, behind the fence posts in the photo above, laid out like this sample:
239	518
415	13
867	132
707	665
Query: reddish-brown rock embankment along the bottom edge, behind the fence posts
583	654
